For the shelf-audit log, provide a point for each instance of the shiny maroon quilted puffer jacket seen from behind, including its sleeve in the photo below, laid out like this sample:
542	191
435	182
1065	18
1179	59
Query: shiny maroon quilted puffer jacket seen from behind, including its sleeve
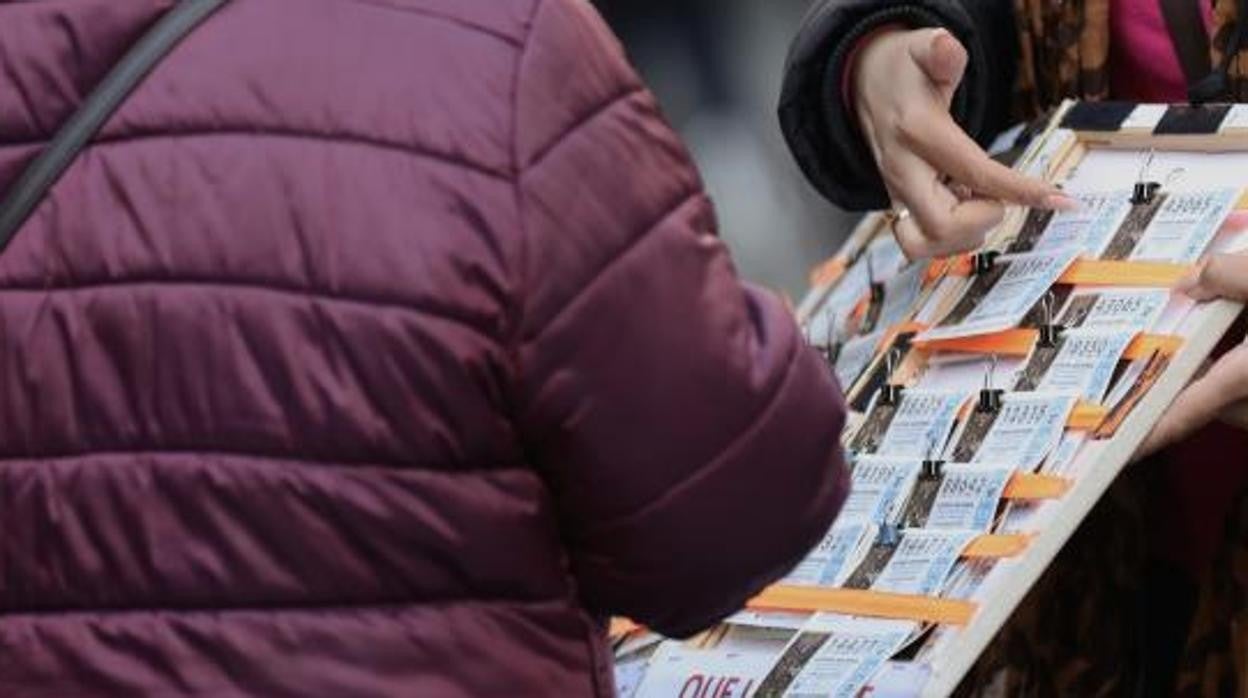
378	349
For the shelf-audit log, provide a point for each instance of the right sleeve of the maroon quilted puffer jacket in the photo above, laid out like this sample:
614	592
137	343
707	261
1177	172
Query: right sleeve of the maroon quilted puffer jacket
690	438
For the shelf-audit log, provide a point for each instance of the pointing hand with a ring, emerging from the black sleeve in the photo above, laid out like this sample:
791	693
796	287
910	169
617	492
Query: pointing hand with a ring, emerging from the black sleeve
904	84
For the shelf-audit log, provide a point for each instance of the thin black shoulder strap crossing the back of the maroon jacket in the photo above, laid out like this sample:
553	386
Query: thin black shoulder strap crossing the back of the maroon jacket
24	197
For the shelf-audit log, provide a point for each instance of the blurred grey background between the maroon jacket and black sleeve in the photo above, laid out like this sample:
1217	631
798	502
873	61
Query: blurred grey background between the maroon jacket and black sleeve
717	67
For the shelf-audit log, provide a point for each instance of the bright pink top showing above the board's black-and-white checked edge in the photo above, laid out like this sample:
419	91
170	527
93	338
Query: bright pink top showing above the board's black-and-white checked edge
1144	64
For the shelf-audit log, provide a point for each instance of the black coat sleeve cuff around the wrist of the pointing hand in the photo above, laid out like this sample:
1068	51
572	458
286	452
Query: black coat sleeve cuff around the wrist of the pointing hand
822	130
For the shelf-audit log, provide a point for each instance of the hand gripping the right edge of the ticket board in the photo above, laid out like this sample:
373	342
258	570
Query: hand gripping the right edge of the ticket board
1222	393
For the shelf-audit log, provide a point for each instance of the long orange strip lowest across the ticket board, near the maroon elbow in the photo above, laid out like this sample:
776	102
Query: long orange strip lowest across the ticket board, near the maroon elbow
862	602
